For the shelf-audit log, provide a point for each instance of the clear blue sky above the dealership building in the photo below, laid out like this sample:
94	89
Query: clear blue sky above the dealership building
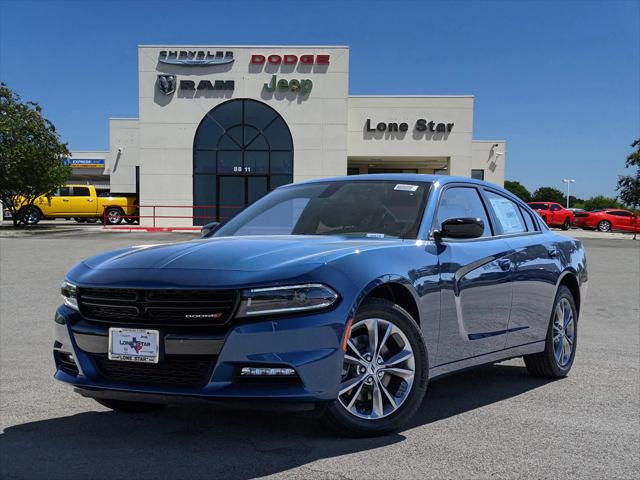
559	80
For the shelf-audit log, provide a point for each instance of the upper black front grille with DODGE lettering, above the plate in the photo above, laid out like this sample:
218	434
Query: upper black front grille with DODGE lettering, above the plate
157	307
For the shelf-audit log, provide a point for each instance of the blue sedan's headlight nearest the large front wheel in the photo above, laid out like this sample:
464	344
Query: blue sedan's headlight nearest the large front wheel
289	299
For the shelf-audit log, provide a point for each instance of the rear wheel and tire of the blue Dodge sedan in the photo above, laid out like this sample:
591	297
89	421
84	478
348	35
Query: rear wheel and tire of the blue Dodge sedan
561	341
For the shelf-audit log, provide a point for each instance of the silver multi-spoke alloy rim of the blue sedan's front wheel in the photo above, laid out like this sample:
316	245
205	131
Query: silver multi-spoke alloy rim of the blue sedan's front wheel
378	370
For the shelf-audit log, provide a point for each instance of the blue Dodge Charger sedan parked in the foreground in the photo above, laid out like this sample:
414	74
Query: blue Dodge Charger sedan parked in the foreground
346	295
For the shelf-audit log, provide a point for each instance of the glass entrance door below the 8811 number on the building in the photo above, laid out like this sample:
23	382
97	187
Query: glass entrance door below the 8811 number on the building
235	192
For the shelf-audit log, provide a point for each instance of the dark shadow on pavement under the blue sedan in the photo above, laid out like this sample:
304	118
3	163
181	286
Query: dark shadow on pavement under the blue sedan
217	443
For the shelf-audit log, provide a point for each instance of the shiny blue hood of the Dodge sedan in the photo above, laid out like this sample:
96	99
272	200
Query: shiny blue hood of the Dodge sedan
248	254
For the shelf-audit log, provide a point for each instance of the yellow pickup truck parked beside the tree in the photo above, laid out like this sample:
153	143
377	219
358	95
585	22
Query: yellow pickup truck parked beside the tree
79	202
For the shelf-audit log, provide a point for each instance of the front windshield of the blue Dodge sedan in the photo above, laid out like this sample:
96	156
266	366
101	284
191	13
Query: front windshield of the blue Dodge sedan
361	208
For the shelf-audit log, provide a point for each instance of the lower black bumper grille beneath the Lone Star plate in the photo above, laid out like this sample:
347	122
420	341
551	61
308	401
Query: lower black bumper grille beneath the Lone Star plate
172	371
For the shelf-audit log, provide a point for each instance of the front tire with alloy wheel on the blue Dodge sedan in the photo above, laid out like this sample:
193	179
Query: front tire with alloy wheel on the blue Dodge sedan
384	375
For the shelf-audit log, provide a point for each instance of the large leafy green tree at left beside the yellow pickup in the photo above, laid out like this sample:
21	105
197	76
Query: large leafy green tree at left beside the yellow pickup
31	154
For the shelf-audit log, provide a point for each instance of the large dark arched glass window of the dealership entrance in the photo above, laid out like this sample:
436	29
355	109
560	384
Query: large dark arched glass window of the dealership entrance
242	150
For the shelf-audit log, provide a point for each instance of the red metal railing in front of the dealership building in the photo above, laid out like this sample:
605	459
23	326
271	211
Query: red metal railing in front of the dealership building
156	214
